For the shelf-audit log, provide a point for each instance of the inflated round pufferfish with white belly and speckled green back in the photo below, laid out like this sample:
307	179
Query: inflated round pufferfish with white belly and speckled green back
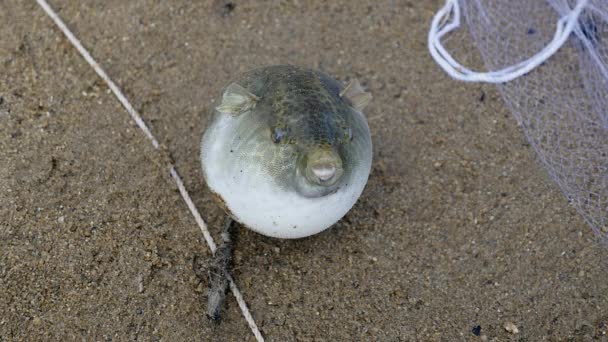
288	151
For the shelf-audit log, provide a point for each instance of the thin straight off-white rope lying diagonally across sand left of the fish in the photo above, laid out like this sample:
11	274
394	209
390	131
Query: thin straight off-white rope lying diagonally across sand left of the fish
137	118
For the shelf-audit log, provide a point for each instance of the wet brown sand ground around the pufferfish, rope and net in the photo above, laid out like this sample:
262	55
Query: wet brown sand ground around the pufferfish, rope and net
459	233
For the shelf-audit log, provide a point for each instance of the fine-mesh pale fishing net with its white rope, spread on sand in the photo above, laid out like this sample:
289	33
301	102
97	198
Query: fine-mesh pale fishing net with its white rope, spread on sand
549	59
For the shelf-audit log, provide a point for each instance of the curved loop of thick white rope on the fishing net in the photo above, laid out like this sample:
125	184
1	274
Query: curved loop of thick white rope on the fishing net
442	25
